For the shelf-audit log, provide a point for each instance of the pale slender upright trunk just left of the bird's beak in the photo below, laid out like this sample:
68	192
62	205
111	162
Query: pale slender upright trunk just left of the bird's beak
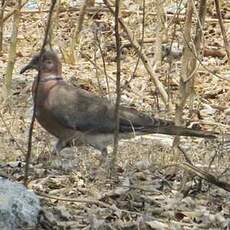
12	49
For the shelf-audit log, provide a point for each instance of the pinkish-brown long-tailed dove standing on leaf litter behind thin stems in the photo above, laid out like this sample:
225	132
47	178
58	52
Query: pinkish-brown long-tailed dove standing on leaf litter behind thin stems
73	114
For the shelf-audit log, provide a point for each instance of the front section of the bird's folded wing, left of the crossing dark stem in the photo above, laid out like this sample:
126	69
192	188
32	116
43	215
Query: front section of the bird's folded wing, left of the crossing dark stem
78	109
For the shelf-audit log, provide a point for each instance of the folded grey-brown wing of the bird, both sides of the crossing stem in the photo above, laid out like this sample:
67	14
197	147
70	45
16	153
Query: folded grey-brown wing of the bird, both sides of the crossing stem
81	110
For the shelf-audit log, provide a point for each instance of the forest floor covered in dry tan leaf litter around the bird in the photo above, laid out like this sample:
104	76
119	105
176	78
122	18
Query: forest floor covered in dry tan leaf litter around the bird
153	189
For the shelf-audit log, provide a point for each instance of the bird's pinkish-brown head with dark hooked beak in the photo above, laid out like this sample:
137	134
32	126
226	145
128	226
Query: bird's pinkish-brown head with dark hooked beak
46	63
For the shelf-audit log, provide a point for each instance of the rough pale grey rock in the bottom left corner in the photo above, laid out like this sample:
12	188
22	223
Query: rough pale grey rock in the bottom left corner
19	207
